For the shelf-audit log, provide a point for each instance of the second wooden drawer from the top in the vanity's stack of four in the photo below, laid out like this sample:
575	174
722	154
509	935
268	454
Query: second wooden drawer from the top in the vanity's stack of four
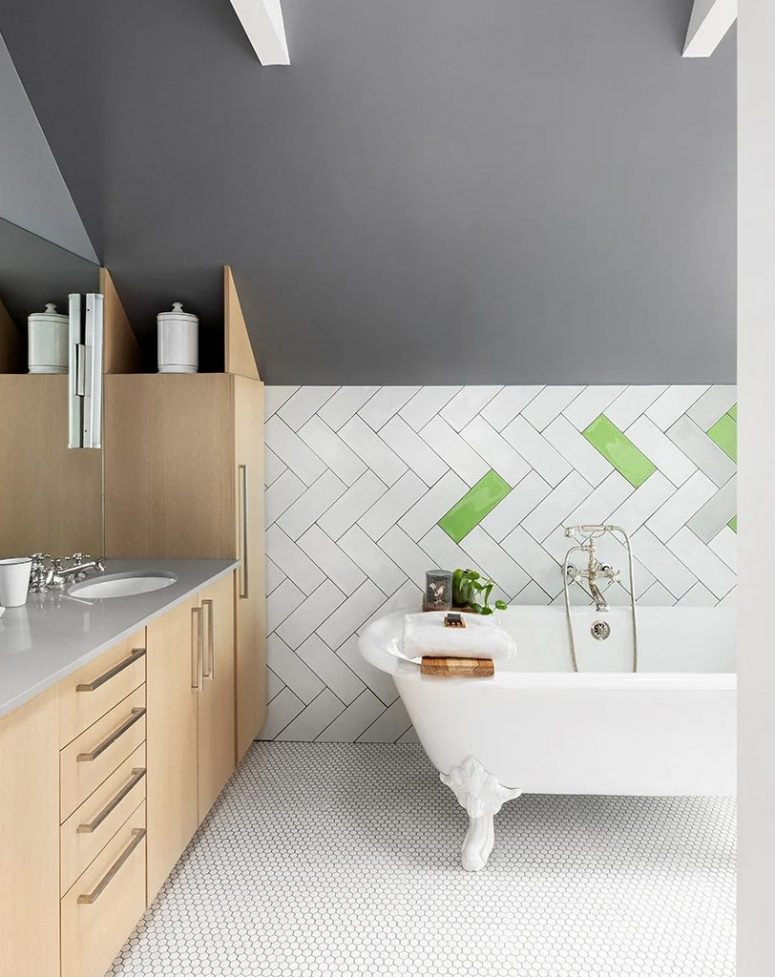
95	754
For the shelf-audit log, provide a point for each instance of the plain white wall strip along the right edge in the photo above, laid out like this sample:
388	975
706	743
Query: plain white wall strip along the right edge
756	325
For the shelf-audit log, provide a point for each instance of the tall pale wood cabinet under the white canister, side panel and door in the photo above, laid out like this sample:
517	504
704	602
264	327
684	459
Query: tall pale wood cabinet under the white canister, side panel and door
184	479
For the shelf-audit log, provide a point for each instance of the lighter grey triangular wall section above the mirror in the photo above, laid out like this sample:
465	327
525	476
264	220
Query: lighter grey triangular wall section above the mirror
32	191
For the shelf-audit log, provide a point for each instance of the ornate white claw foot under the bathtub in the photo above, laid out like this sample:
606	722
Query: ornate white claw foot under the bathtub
482	795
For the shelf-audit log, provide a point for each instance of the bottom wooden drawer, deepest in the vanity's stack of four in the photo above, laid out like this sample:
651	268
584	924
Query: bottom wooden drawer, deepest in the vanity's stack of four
101	909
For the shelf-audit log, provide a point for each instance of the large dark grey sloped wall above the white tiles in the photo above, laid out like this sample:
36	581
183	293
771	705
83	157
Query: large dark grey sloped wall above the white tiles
498	191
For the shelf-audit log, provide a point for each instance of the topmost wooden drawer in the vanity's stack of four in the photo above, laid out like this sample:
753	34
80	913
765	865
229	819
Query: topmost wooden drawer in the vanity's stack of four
93	690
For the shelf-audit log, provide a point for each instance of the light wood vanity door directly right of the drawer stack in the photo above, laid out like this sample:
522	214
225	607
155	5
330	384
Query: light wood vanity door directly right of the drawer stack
174	681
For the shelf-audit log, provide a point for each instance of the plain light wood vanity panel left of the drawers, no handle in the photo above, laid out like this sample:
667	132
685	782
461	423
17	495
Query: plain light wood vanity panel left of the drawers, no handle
29	839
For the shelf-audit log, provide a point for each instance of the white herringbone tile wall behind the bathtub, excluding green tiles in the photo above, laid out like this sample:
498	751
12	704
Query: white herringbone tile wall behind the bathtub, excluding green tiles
358	478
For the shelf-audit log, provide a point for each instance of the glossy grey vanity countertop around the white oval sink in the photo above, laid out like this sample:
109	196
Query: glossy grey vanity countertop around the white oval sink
55	634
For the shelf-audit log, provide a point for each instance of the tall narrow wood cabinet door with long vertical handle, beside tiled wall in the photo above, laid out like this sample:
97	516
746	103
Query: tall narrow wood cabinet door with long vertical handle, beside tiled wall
250	605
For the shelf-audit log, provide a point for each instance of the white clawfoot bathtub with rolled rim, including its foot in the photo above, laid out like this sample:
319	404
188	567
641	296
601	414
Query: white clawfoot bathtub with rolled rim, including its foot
538	727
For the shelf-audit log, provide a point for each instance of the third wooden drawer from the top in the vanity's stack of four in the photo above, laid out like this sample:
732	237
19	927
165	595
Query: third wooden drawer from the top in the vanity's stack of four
91	826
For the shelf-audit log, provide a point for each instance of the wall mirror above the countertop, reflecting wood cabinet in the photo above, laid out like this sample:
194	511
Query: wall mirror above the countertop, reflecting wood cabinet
50	495
